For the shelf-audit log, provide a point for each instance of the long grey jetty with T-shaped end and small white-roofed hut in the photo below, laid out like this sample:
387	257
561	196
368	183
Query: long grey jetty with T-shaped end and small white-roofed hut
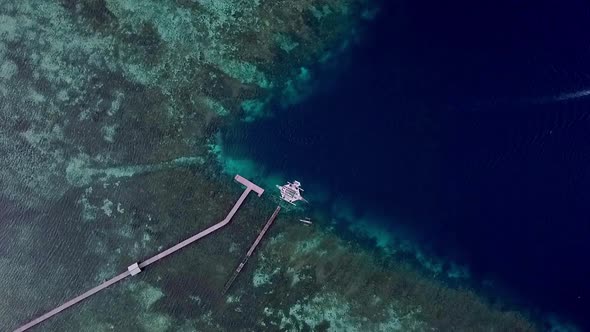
136	267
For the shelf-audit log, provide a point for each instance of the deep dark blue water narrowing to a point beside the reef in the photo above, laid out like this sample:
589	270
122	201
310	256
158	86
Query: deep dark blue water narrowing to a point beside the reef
457	121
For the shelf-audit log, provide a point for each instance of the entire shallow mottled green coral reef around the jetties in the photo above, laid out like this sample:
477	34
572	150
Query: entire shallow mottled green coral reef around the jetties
108	109
